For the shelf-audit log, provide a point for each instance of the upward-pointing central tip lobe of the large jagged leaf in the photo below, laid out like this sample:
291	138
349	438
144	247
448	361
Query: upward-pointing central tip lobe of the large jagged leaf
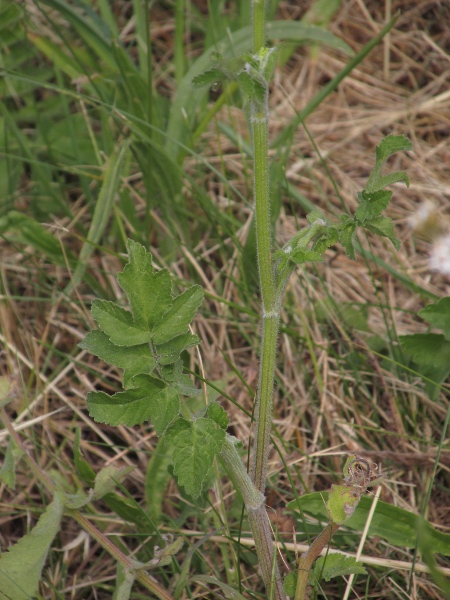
149	293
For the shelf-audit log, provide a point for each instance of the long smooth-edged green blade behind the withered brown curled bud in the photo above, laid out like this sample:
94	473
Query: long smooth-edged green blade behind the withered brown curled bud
397	526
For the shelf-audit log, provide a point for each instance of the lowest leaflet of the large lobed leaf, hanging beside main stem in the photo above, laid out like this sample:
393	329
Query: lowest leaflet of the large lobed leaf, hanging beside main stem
194	445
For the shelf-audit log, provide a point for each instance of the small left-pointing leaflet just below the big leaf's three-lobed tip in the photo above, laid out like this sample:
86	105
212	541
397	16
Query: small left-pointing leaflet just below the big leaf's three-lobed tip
135	359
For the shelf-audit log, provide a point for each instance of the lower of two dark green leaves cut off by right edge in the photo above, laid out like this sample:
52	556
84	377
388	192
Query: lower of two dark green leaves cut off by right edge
431	349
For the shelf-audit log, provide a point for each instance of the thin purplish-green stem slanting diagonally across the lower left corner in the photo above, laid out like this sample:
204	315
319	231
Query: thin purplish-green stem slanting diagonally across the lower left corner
145	579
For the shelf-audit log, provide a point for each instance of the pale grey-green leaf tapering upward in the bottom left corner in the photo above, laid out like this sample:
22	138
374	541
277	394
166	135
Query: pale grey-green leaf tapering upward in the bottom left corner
21	566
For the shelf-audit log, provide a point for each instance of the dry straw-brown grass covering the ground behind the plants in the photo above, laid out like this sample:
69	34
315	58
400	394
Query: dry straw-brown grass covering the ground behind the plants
323	408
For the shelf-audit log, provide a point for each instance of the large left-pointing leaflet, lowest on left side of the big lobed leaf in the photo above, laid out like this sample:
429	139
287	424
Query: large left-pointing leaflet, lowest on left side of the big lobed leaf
151	399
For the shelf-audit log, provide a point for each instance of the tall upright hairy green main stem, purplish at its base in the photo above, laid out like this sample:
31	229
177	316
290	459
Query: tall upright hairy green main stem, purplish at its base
259	521
